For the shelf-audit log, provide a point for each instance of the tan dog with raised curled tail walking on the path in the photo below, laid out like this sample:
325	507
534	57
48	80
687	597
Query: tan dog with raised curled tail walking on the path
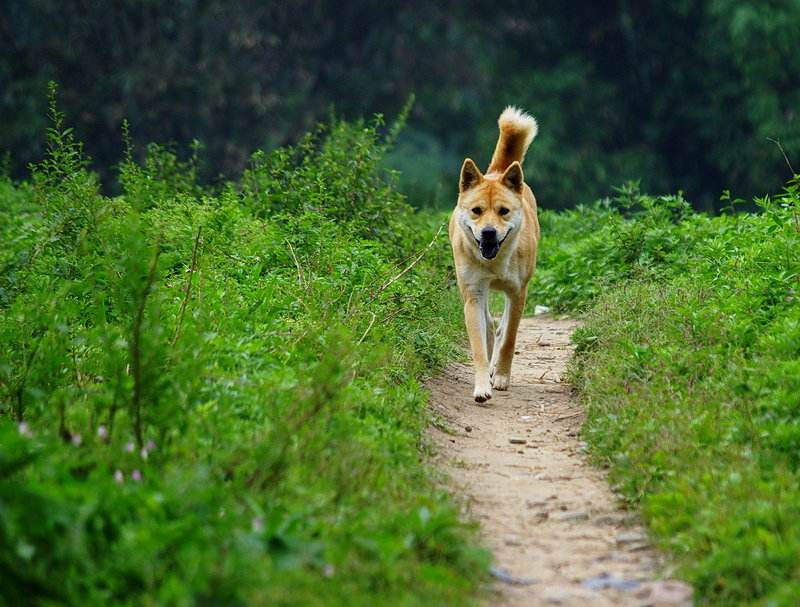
494	233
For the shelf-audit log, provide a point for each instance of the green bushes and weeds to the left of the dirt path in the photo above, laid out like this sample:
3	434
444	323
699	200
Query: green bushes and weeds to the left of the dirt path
213	397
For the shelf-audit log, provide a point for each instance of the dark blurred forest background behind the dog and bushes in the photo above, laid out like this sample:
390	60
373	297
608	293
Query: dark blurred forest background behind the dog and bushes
681	94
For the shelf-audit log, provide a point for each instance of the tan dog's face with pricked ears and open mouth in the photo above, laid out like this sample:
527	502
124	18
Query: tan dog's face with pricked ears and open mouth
490	208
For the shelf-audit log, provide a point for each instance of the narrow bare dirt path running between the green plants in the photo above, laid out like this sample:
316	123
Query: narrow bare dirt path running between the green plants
556	530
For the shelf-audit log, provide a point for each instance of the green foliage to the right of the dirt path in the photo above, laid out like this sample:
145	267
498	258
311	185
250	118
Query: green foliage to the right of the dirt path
689	363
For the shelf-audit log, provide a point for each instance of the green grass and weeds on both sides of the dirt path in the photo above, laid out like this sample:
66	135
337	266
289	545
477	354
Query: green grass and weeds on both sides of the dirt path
213	395
